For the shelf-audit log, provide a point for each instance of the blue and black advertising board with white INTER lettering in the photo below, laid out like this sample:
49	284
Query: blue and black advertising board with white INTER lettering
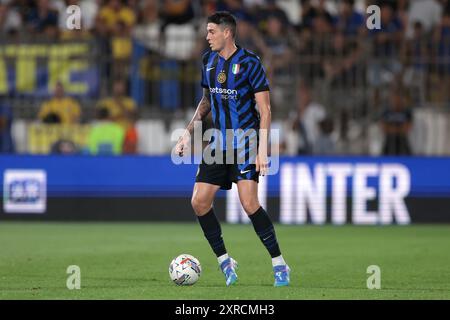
317	190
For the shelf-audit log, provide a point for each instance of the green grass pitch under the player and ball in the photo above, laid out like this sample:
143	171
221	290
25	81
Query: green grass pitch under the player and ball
130	261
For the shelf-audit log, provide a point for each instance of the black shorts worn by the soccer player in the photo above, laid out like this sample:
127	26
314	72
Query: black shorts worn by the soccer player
223	175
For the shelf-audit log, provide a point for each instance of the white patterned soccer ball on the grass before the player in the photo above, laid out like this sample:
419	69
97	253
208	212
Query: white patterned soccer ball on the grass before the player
185	270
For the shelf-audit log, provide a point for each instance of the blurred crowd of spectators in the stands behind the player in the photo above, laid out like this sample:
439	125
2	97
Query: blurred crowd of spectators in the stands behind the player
336	86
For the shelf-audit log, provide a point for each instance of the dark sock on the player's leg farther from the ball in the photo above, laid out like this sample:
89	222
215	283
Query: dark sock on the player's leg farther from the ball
265	231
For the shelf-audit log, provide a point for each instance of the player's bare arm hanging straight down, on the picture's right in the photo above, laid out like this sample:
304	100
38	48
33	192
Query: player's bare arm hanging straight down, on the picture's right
263	101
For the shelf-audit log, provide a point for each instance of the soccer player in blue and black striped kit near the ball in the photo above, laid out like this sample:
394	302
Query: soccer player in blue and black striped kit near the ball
234	81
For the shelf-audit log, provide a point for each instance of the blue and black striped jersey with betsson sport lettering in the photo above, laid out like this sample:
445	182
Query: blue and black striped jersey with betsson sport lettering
232	84
